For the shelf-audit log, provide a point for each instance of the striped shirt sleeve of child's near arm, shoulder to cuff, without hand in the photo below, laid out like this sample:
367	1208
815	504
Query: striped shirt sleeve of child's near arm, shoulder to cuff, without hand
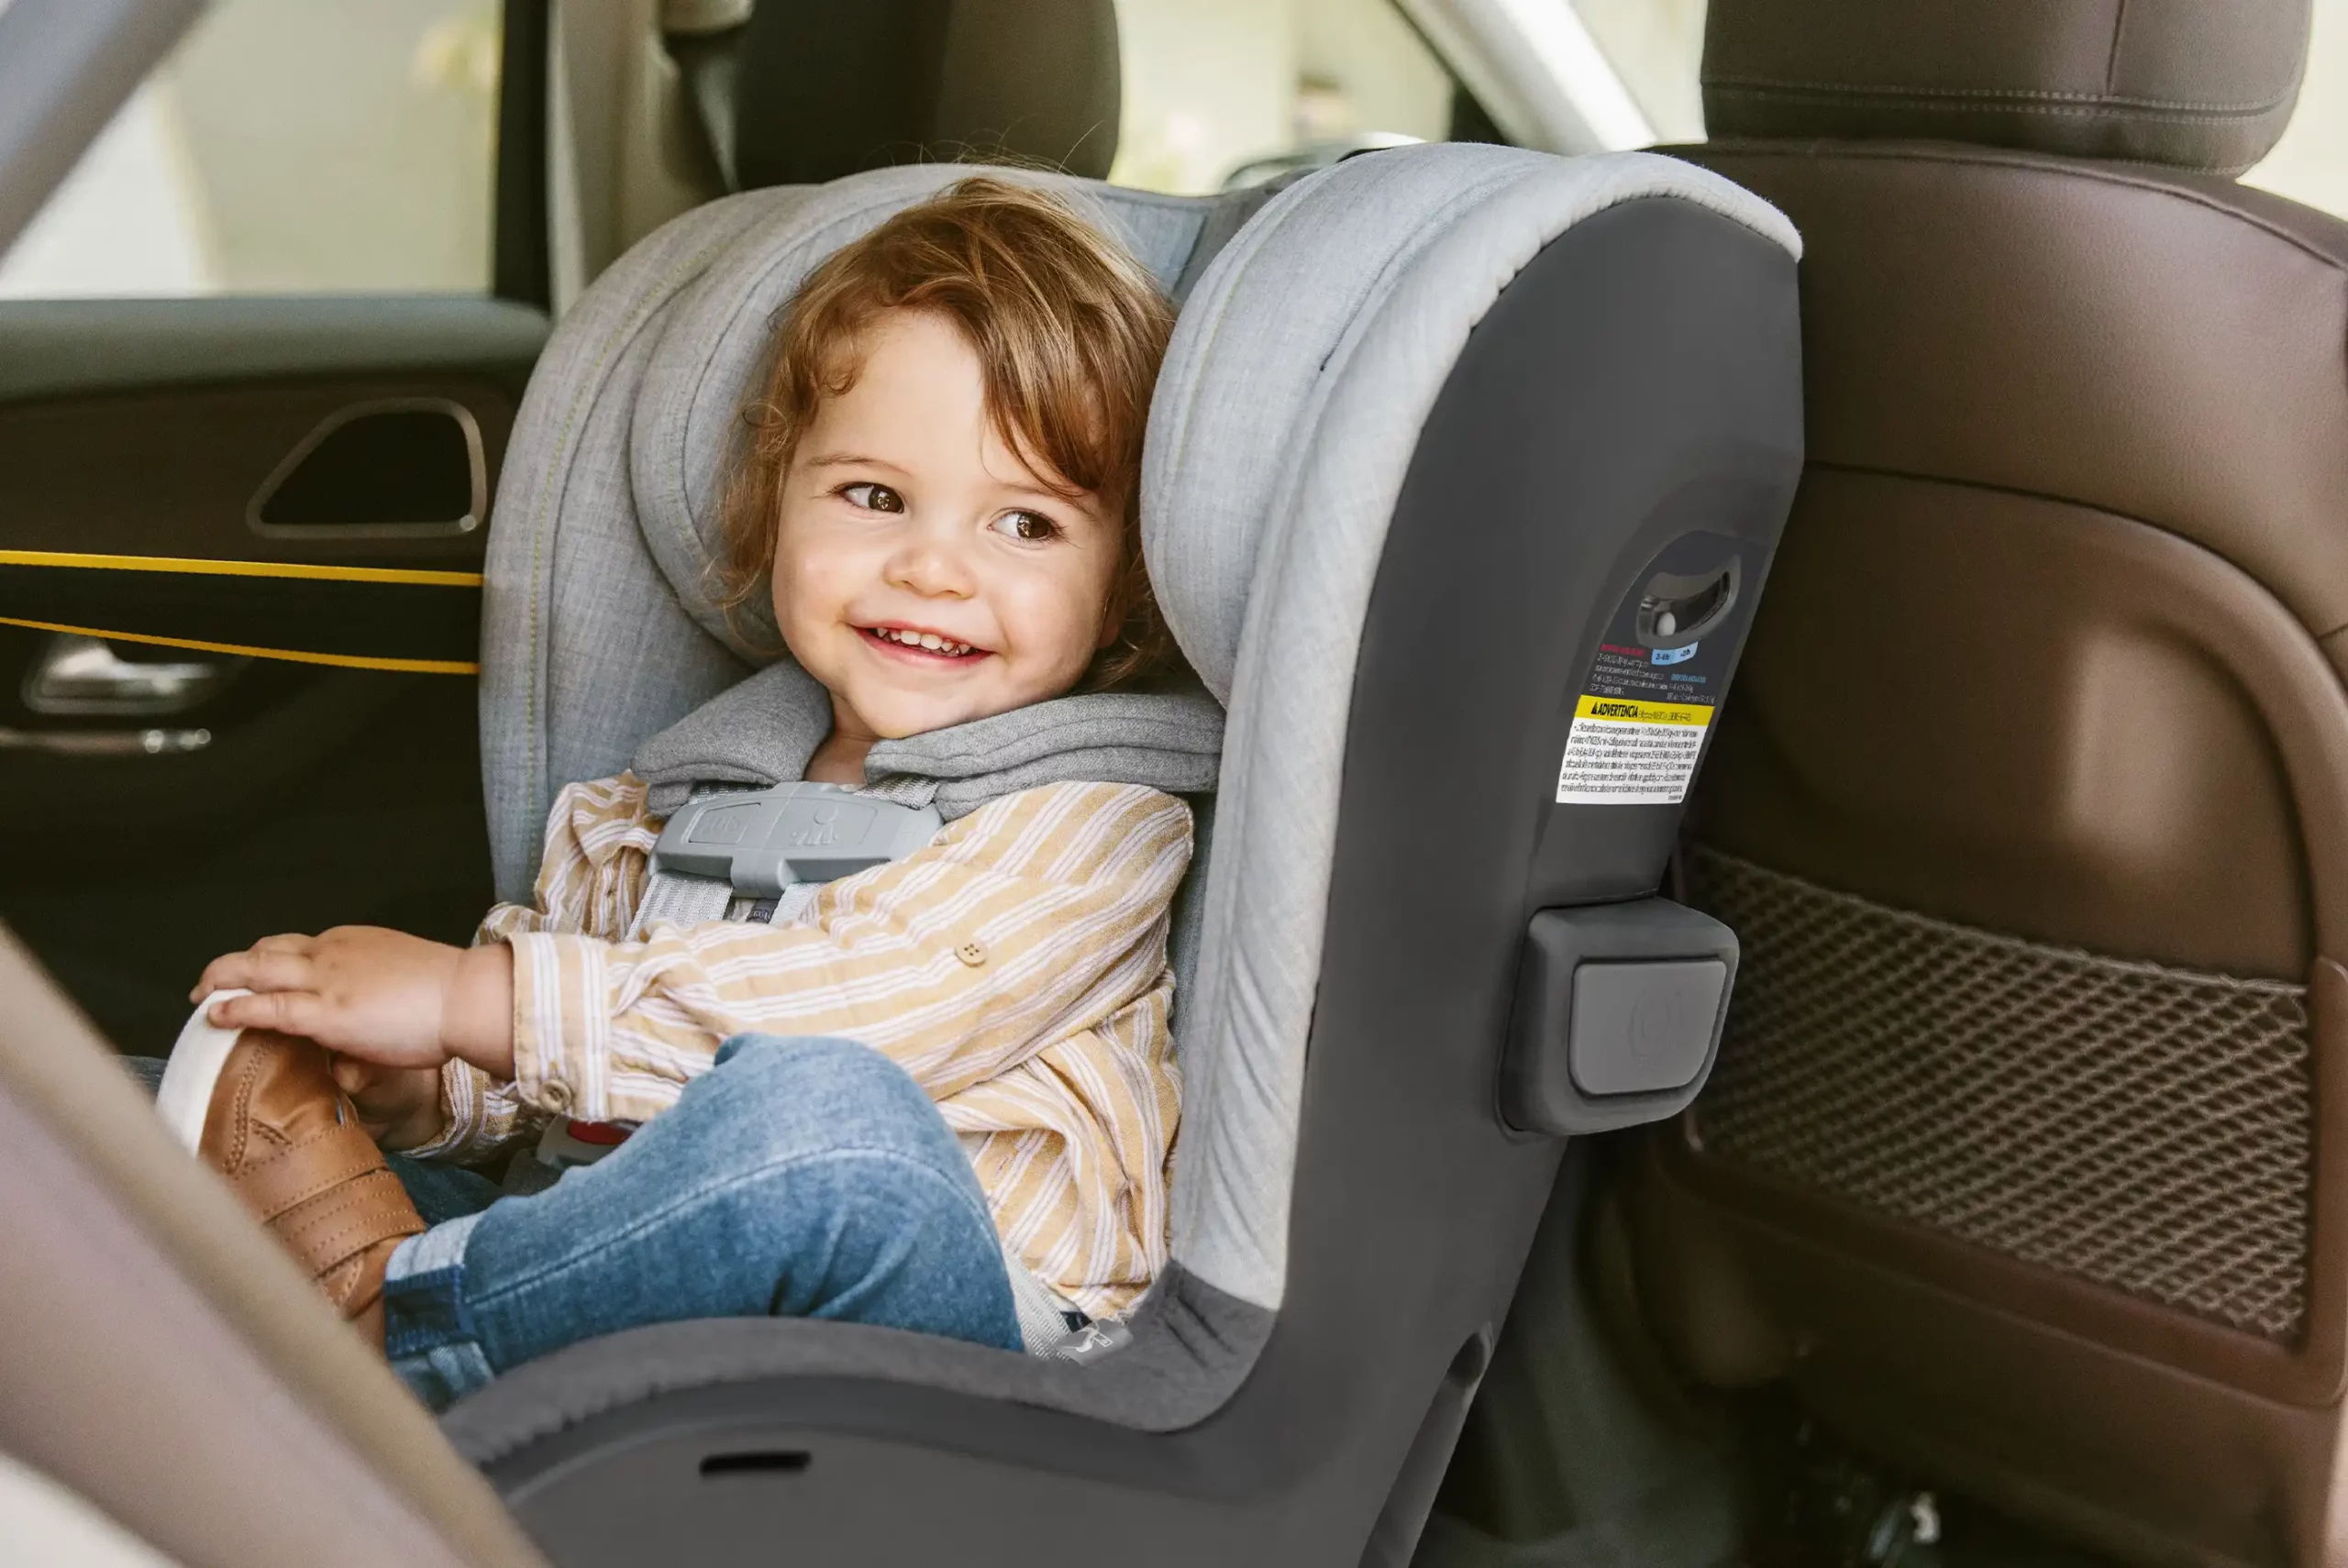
1025	924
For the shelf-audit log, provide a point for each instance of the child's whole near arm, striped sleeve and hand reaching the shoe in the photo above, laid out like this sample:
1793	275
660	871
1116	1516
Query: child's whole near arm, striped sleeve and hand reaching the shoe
1027	921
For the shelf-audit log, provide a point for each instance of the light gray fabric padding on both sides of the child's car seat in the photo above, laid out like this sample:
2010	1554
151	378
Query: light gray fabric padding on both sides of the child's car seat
1286	417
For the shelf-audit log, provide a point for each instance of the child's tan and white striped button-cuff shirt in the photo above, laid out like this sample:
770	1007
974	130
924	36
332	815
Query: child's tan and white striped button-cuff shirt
1016	968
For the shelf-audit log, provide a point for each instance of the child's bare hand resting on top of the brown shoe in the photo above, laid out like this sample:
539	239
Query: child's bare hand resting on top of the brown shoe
379	996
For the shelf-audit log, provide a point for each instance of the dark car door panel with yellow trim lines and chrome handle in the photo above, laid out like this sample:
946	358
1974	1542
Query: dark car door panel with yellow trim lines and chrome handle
313	759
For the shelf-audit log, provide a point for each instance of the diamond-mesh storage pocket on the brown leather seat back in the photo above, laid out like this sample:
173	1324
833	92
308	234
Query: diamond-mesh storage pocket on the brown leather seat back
2143	1128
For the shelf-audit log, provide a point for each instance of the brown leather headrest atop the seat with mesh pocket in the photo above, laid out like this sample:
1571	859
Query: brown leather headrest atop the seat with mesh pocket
2152	81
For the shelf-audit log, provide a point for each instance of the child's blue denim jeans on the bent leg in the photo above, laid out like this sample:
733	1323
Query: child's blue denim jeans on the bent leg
795	1180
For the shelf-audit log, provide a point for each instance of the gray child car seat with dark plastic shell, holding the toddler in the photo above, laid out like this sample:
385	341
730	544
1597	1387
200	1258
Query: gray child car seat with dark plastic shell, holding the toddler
1438	431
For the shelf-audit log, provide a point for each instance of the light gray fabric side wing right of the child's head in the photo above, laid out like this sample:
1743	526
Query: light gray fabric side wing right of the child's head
1278	440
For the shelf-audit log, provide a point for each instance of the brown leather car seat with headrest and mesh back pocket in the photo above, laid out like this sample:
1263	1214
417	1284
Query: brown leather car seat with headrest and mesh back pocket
2027	1149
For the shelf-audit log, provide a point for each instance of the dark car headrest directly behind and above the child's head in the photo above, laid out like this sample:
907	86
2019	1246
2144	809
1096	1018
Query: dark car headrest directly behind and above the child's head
828	88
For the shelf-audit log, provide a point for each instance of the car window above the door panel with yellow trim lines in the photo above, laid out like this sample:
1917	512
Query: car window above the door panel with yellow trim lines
288	147
